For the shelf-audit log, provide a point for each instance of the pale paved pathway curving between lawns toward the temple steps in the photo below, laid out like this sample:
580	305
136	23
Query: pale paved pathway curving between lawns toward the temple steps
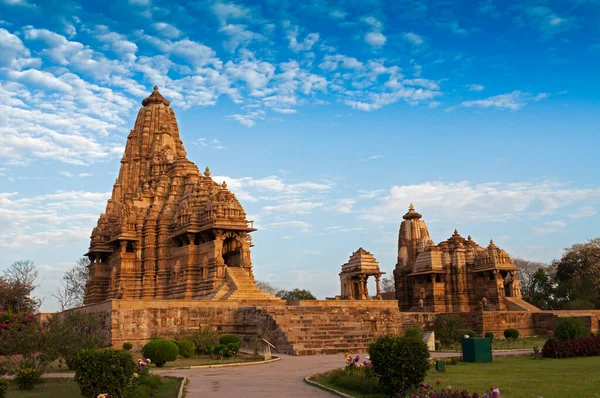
284	378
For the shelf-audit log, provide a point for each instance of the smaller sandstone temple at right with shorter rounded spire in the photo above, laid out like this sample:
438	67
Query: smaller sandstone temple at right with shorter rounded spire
457	275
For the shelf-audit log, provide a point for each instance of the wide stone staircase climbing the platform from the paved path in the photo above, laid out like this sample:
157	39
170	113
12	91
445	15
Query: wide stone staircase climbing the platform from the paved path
316	330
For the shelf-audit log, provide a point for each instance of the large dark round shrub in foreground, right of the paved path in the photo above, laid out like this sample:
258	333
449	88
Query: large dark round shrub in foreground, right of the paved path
401	364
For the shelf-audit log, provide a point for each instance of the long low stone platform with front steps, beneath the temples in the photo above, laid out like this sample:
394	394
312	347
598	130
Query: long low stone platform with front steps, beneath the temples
304	327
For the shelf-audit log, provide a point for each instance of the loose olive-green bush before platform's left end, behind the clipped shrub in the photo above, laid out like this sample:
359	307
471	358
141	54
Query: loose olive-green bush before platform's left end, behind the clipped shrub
69	334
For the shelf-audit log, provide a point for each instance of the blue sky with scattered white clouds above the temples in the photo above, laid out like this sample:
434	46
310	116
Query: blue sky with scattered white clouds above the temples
325	118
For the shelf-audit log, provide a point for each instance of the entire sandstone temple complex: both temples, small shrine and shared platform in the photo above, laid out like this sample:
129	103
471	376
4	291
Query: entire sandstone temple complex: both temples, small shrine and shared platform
172	252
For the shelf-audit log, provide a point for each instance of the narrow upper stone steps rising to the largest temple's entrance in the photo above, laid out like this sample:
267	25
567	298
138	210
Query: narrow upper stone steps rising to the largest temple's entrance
240	287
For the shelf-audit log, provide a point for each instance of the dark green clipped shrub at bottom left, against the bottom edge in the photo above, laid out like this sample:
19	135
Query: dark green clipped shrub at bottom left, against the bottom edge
104	371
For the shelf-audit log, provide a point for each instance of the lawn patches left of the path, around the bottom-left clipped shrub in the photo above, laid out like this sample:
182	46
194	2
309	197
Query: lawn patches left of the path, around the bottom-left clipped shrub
67	388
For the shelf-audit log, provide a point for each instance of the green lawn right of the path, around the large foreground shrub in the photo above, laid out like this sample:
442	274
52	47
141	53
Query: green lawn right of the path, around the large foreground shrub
517	377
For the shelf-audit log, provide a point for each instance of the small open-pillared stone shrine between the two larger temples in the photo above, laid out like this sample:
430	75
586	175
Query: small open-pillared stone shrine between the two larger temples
355	274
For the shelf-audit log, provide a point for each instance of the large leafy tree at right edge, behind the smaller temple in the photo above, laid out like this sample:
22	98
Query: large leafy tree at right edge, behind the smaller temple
577	276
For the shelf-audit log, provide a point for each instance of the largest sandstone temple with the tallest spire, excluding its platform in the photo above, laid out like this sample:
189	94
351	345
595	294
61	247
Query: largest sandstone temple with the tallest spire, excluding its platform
168	232
